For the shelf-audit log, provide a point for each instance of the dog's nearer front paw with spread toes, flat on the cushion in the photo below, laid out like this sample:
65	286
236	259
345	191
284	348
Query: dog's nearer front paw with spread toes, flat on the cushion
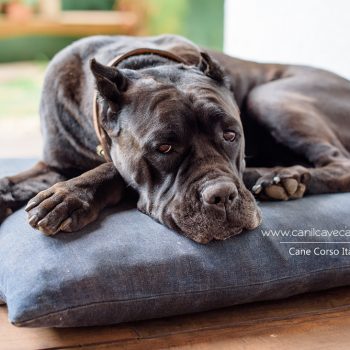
62	207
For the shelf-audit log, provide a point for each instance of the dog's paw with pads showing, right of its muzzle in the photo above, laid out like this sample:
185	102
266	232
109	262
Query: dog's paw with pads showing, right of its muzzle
282	184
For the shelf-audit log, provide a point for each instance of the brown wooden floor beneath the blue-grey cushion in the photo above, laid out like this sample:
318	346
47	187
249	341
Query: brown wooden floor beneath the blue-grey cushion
312	321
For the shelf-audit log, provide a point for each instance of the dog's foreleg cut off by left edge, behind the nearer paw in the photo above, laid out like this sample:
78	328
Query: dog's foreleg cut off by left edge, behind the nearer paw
16	190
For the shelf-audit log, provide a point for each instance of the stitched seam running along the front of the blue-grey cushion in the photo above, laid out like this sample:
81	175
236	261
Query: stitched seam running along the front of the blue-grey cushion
172	294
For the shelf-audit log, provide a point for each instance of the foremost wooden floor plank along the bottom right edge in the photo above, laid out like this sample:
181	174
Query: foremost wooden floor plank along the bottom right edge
316	332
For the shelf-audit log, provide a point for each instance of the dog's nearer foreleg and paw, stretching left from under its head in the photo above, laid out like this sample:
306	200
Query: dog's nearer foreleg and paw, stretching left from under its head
70	205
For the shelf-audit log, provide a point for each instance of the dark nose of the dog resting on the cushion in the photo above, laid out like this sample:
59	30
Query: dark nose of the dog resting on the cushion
219	193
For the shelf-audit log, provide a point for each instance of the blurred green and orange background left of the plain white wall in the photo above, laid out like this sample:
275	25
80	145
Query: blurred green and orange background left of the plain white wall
32	31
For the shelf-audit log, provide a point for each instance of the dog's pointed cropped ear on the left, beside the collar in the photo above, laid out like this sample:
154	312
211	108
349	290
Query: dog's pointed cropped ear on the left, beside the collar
110	81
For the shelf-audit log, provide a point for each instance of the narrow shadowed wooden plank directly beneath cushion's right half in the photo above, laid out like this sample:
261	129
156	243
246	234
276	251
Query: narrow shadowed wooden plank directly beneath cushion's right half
294	307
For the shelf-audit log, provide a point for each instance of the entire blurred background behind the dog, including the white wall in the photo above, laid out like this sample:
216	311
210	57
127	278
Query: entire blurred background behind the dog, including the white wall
309	32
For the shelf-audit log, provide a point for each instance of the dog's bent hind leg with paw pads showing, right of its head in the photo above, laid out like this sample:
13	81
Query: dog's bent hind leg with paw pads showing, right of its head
309	120
